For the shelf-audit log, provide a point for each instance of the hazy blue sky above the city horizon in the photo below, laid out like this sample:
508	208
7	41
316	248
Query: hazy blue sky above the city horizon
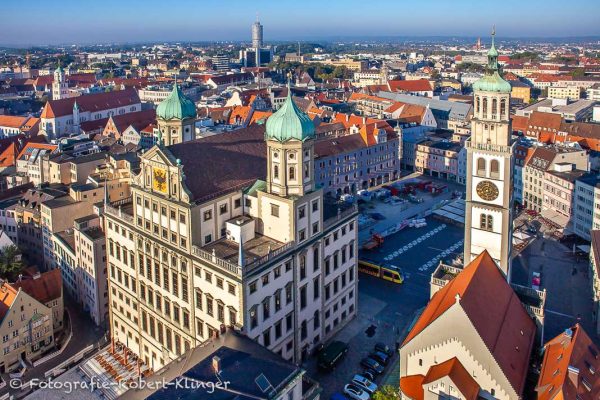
100	21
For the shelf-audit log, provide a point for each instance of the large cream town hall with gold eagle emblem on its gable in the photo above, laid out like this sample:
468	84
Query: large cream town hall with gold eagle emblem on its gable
191	254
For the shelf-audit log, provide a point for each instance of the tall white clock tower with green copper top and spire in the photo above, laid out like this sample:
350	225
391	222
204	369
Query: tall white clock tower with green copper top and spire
488	214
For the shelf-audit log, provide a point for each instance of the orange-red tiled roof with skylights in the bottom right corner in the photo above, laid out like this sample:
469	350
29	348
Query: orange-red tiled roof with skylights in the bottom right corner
570	367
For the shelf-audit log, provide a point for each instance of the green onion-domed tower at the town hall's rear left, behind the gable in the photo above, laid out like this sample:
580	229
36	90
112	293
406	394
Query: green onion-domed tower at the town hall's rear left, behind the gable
176	116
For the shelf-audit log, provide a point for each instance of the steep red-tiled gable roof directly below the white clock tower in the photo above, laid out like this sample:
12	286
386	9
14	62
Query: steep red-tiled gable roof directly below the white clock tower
495	312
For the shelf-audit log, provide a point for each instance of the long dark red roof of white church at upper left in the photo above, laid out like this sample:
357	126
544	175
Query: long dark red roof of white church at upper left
91	102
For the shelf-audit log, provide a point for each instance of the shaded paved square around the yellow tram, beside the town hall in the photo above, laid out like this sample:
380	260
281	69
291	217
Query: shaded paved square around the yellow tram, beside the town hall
385	309
